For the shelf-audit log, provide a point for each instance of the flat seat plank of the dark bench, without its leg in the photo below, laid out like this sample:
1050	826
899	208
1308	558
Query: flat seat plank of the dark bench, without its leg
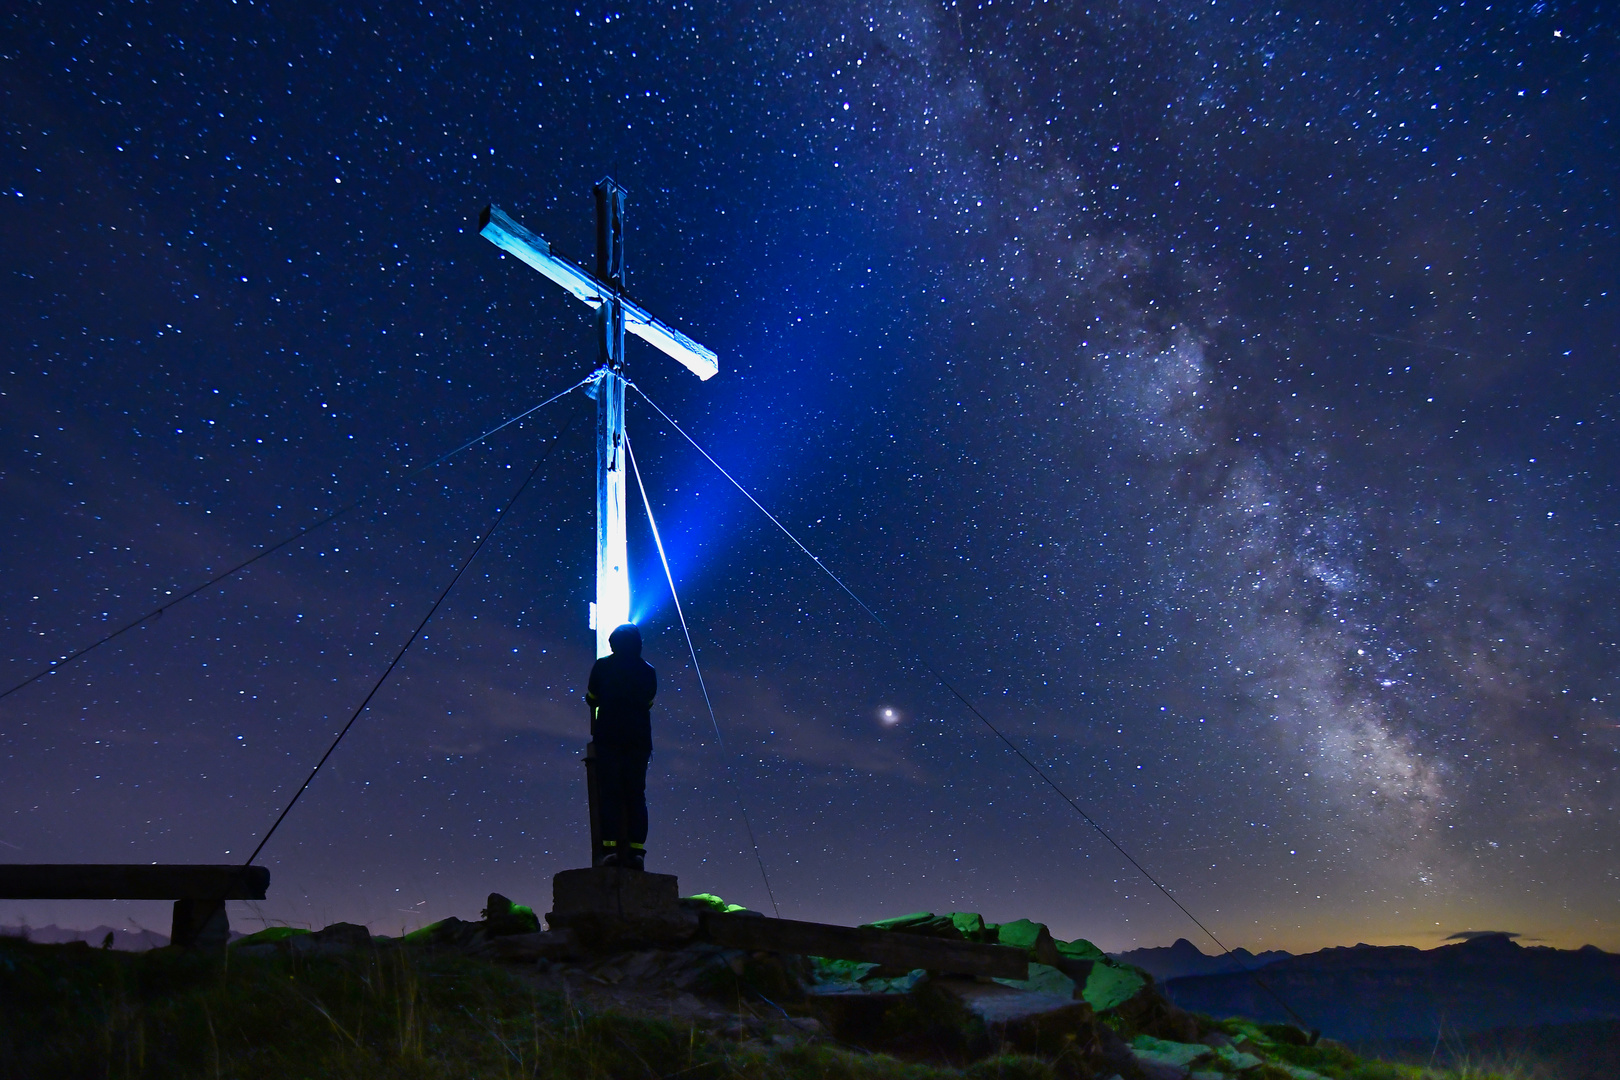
135	882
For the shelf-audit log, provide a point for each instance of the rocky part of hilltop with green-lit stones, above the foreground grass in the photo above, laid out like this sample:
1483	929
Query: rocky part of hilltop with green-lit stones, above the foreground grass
1078	1014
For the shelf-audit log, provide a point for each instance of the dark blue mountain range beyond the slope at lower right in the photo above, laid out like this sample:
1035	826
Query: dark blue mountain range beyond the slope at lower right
1397	993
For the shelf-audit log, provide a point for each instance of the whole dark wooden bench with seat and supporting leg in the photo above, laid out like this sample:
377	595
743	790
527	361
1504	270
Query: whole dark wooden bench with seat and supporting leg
198	891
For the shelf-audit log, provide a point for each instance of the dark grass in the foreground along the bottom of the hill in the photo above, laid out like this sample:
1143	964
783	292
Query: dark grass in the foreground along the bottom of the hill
412	1014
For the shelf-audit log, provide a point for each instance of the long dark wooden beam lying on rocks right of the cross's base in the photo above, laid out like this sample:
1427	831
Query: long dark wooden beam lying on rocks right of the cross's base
866	943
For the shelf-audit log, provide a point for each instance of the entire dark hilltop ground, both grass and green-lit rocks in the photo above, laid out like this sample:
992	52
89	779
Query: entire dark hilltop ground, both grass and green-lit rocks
623	998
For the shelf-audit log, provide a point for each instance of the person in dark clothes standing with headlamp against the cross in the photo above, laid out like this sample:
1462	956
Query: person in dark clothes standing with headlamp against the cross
620	695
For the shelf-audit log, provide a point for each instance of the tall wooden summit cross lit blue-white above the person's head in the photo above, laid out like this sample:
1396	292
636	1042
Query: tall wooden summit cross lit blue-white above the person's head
616	313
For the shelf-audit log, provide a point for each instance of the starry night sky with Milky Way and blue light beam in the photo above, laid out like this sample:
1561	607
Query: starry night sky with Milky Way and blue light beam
1222	396
